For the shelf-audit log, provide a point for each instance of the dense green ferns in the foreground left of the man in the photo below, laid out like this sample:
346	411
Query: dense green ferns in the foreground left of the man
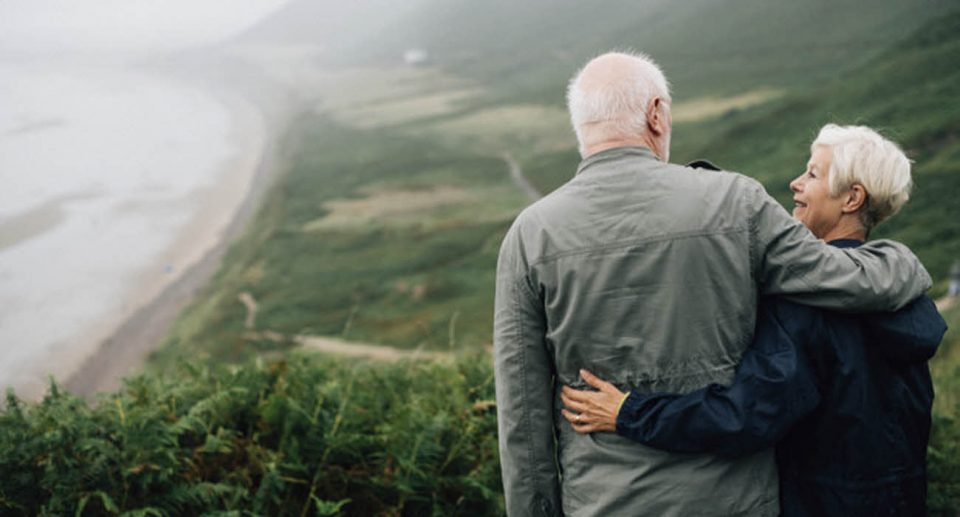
302	436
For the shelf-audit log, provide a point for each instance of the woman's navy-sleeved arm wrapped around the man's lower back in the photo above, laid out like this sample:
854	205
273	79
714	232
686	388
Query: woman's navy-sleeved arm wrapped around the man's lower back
774	387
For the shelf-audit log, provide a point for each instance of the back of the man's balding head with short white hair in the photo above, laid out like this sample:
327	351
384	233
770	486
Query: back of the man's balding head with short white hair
617	106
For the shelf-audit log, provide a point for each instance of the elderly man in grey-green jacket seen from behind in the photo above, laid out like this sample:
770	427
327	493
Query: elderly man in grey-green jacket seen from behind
647	274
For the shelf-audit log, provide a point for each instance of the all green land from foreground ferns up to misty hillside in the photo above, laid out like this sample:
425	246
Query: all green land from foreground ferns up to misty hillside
383	230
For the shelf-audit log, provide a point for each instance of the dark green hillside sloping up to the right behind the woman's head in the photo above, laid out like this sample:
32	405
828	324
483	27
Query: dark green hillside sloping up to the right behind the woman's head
910	93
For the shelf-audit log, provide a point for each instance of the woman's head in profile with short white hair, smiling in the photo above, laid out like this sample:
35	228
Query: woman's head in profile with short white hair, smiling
855	178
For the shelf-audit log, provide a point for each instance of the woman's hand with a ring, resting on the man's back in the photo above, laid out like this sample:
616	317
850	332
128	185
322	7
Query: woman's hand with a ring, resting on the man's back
592	411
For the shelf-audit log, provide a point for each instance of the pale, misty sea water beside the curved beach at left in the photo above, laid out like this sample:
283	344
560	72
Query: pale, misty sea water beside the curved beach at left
103	174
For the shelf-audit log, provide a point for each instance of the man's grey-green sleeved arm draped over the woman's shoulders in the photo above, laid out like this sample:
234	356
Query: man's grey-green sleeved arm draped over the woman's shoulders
878	276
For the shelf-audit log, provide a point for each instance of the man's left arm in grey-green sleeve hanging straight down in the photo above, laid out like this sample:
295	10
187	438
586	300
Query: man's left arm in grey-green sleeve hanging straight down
524	385
